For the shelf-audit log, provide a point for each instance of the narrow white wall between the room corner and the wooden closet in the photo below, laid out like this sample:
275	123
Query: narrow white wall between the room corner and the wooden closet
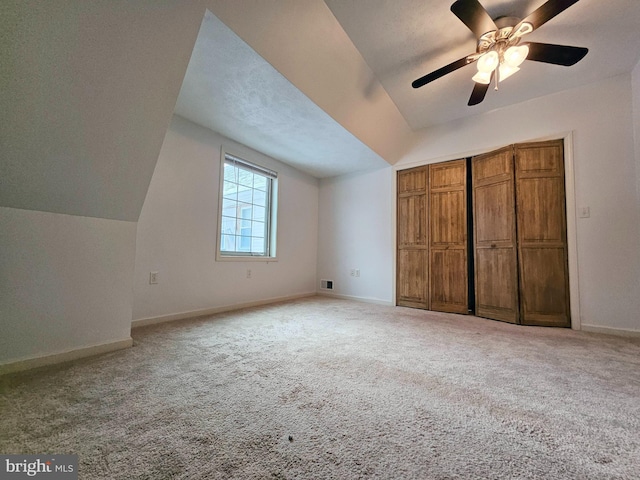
356	232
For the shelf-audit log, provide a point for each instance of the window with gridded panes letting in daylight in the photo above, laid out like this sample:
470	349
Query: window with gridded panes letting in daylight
247	222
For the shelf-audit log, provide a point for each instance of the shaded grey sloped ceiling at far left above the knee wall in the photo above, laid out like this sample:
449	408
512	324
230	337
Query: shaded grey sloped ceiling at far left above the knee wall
87	90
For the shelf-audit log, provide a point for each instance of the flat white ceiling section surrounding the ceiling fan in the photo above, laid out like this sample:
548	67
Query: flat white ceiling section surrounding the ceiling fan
403	40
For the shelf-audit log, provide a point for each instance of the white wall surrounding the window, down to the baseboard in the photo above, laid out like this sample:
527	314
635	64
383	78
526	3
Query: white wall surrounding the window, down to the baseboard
177	232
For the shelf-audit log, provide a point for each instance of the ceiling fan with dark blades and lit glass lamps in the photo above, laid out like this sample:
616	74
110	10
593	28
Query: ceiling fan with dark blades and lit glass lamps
500	52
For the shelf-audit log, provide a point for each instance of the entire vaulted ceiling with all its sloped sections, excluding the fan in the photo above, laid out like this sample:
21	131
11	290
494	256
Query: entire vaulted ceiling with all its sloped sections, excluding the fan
87	89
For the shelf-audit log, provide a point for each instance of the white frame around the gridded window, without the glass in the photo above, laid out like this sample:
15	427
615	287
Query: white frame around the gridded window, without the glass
271	220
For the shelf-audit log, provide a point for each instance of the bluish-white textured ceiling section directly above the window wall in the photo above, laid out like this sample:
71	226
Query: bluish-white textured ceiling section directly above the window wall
232	90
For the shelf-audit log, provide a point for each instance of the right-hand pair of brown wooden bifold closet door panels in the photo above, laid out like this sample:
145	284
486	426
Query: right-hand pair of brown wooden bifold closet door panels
520	244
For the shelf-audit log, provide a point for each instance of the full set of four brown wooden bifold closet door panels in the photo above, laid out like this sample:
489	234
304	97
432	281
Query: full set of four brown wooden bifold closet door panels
520	262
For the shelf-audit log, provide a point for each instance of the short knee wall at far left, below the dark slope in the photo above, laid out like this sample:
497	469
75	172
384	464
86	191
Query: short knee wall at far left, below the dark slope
65	283
